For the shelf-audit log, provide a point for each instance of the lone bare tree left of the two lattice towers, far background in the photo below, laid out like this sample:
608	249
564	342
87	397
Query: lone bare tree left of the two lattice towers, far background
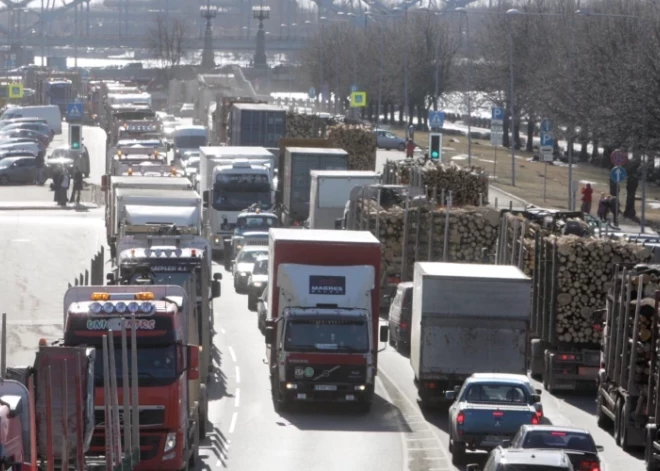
167	41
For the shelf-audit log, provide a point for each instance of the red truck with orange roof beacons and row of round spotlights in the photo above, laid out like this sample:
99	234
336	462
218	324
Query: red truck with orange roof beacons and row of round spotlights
167	365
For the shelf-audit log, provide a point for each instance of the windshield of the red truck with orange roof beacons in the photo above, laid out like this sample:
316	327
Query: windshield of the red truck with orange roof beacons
156	365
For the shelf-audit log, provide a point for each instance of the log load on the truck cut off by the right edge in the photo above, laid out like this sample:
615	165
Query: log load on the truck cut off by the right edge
646	278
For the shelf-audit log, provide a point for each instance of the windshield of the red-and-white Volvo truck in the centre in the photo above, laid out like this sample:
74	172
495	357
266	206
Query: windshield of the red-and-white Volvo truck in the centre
327	335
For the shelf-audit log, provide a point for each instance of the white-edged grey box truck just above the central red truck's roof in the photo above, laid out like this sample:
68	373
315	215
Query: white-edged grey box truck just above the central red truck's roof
330	191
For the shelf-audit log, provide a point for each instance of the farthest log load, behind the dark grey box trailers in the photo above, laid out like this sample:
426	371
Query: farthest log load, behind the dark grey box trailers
359	141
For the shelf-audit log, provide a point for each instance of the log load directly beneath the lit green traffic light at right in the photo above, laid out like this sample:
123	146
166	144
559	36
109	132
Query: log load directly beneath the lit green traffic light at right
468	183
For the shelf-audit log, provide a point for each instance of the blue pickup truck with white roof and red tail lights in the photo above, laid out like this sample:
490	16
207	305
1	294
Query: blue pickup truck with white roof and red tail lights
488	410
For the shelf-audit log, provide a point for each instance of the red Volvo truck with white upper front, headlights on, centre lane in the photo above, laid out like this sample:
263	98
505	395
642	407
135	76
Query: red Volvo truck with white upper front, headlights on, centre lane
322	326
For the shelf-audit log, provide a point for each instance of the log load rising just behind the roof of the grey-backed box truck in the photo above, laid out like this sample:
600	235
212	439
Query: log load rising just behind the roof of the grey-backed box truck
472	235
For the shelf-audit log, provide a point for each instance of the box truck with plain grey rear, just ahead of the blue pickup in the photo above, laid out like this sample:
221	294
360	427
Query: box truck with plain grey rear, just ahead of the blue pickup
467	318
